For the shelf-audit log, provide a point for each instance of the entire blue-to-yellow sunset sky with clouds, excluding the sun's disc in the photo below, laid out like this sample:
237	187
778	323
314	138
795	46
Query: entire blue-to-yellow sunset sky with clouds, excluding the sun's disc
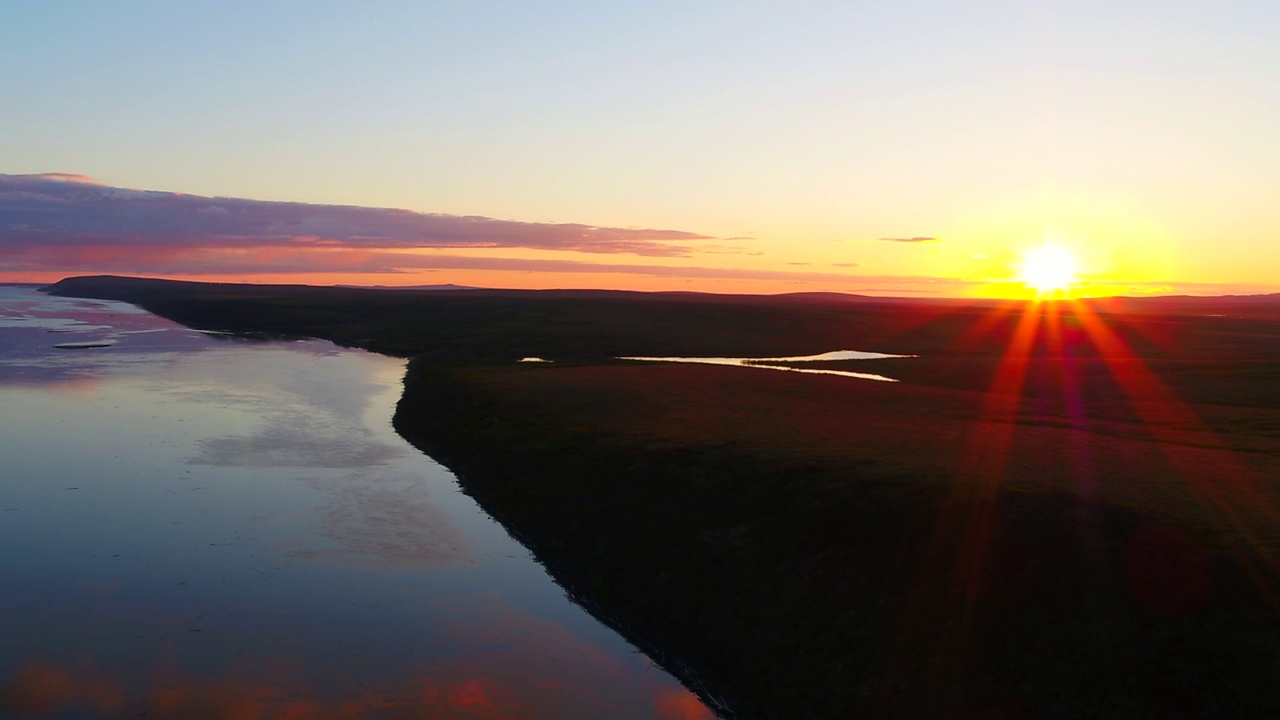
913	148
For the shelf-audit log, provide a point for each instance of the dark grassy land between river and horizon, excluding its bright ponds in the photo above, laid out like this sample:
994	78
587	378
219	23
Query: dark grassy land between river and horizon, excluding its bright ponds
1060	512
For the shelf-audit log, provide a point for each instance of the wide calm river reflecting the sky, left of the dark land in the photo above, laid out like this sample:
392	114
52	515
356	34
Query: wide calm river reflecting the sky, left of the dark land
195	526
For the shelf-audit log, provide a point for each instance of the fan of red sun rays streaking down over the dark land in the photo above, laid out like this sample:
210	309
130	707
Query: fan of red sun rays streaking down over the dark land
1058	345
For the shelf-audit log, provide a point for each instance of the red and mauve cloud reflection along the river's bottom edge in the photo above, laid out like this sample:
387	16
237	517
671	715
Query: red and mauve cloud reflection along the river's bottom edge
491	660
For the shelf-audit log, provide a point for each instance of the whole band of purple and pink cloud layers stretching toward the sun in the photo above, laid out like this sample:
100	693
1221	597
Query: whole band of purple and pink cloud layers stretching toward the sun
72	225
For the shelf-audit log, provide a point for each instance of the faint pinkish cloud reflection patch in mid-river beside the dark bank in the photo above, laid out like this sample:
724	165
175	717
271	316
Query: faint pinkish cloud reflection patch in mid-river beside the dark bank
386	523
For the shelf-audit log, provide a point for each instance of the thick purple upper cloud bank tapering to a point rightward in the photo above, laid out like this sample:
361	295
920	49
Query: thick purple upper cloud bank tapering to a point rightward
65	211
